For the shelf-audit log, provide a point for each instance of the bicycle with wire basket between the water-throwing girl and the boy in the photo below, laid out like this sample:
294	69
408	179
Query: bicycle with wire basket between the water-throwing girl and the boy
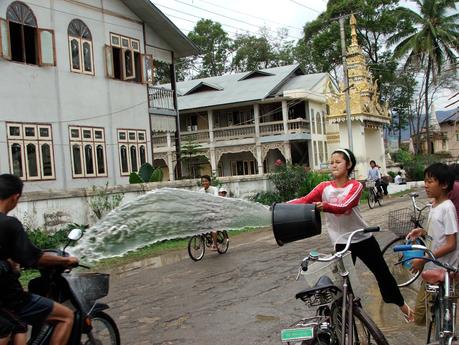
401	222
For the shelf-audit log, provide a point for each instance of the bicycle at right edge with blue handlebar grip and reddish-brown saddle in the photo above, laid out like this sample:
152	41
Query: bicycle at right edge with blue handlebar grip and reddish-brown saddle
442	325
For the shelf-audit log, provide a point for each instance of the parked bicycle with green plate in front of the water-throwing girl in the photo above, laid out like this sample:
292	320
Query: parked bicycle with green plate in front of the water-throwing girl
338	310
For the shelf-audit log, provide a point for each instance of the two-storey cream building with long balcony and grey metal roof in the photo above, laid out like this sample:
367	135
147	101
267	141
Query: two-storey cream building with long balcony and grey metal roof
244	122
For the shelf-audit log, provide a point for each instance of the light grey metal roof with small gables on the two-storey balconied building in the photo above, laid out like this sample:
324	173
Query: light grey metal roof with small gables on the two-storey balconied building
235	90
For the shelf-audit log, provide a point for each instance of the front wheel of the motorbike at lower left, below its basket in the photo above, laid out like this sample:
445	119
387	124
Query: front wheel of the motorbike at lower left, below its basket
104	331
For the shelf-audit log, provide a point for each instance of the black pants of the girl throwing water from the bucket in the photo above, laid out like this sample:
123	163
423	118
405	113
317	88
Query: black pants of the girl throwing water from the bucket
369	252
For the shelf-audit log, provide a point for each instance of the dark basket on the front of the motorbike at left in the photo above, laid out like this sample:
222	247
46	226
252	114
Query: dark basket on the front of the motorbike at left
87	288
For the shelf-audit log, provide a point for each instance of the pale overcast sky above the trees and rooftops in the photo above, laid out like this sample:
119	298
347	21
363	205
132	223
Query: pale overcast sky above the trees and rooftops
241	16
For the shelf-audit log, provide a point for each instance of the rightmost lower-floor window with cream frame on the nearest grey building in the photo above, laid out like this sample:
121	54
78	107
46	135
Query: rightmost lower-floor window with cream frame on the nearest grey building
128	143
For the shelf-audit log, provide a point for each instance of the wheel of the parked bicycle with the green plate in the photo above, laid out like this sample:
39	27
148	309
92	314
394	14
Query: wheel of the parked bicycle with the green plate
365	331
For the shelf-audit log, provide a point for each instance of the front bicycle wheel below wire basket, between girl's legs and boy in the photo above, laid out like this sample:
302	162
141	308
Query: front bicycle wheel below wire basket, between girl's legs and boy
402	274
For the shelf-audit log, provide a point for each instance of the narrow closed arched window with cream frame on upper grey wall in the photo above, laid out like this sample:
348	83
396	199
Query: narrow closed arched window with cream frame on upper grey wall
80	47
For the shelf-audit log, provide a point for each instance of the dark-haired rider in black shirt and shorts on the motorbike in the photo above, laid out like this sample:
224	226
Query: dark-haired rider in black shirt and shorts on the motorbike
16	246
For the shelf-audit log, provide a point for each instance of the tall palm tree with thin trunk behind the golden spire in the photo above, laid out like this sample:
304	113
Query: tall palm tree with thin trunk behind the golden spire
432	39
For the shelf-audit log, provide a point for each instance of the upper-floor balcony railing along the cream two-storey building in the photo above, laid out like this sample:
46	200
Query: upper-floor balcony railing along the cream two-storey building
236	132
